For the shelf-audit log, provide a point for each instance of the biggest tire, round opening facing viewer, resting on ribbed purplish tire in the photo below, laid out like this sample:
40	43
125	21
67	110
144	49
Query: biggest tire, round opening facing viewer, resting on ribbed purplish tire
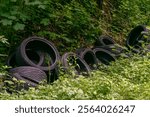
38	44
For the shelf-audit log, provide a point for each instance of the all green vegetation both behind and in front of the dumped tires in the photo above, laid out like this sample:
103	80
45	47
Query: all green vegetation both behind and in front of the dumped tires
71	24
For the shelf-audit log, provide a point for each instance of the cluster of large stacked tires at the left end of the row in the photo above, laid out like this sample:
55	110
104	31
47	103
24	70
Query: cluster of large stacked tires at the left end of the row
34	60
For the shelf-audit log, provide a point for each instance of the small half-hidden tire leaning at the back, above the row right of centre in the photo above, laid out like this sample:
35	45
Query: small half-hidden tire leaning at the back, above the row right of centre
104	40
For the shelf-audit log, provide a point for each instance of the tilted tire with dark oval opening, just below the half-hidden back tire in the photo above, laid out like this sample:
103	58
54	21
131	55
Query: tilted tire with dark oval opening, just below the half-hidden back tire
104	56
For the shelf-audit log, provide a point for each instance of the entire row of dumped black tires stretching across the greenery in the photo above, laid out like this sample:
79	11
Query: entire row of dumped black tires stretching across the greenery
37	59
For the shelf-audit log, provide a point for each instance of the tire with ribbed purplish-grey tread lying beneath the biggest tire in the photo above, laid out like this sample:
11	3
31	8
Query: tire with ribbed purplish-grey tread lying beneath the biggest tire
32	74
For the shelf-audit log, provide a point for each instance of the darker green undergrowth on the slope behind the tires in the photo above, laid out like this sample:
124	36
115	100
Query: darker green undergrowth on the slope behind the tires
70	24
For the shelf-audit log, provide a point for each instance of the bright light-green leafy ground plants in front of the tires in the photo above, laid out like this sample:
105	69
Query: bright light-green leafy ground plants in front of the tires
126	79
